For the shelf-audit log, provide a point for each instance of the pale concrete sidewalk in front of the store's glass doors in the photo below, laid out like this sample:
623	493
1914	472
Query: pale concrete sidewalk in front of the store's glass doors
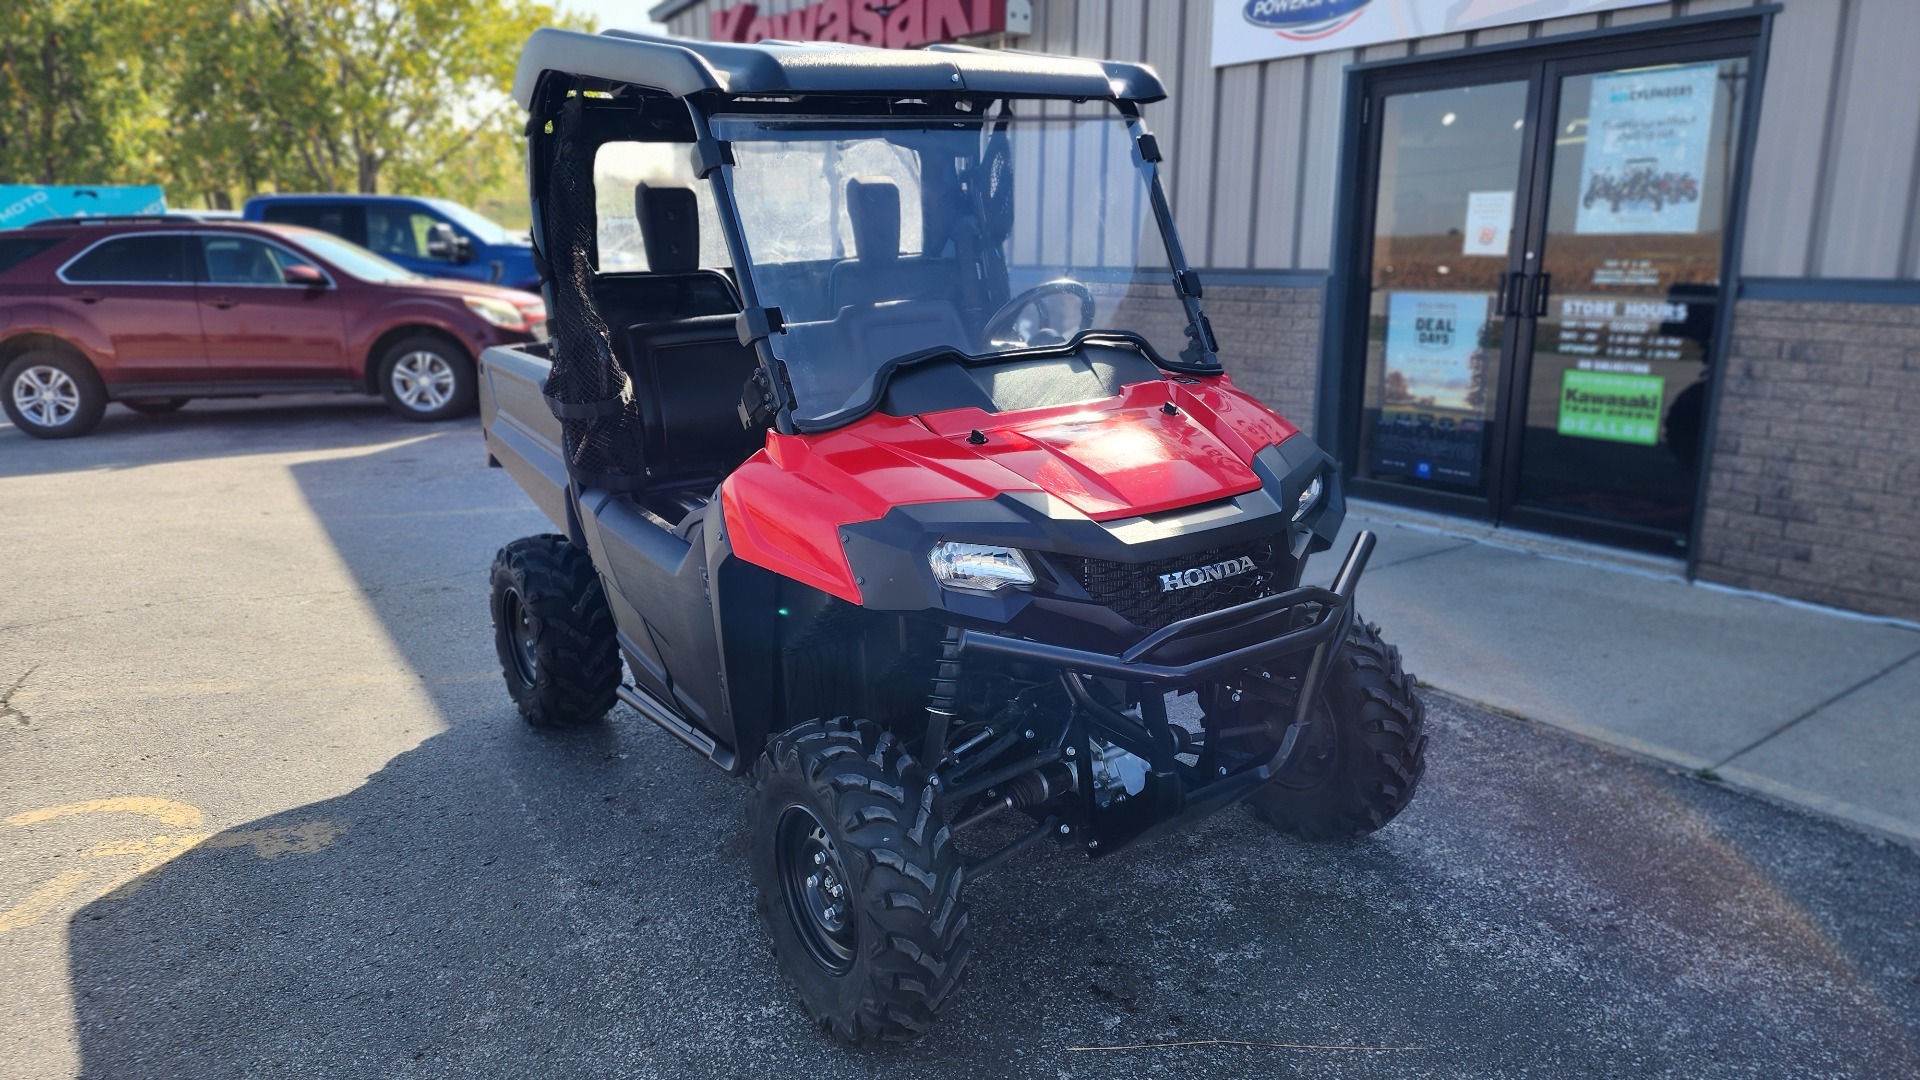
1798	704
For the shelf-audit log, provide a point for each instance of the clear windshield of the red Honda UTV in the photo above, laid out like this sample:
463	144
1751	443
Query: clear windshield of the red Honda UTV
982	235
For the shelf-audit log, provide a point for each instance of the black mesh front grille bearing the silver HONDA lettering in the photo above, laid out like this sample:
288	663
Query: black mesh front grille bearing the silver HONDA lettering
1136	589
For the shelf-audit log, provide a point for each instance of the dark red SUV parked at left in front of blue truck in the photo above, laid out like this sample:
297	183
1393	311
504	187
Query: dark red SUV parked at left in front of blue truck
155	312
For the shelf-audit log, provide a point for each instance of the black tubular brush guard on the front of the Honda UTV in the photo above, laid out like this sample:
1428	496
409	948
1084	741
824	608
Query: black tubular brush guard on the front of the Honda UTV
1149	662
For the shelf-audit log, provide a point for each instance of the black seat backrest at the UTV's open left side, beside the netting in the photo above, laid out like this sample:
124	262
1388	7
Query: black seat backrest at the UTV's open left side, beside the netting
688	376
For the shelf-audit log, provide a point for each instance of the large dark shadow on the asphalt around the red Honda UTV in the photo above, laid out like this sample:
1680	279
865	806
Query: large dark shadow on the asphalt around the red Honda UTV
508	904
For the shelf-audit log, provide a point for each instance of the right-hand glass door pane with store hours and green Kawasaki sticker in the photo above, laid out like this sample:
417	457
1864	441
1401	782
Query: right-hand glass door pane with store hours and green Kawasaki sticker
1629	291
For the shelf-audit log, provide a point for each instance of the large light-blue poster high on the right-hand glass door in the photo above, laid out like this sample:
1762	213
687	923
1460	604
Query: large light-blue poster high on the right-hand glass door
1646	151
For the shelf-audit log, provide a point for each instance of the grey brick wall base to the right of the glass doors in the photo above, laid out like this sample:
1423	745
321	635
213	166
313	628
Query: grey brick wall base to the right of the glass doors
1815	481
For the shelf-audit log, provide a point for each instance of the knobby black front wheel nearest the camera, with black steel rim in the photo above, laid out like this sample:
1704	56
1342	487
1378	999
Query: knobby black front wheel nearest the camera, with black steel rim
857	881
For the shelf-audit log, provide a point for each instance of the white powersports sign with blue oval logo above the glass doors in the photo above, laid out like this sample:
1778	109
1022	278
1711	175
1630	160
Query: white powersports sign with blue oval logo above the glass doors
1266	30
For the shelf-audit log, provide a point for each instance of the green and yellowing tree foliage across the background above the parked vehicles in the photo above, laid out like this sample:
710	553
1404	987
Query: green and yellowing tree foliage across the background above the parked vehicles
224	99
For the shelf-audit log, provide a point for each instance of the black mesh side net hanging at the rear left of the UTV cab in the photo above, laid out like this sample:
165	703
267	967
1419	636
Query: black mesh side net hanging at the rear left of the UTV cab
587	389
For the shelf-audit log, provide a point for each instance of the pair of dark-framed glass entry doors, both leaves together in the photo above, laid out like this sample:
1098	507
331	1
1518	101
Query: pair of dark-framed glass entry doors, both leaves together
1543	287
